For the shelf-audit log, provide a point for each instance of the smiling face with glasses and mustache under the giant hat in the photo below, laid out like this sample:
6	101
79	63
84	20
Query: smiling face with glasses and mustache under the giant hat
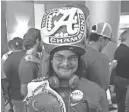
65	63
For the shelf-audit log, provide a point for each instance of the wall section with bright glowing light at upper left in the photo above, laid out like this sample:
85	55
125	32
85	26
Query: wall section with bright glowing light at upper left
19	16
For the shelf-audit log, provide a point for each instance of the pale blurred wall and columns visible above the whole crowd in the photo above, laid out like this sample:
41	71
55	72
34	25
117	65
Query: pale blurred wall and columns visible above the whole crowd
18	16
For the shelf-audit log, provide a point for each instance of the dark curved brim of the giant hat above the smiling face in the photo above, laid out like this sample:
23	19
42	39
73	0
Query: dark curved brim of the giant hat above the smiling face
76	49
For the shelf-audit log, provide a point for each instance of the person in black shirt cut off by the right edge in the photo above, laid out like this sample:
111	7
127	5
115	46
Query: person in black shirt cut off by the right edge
122	70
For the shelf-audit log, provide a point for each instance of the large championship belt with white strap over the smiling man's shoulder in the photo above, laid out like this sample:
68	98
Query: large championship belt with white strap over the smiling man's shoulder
42	98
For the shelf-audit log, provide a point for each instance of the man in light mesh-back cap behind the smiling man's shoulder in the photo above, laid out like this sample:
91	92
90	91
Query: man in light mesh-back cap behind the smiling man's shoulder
98	69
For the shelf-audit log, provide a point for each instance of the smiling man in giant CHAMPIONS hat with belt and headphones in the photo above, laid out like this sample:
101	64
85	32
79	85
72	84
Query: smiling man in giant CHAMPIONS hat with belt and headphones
63	34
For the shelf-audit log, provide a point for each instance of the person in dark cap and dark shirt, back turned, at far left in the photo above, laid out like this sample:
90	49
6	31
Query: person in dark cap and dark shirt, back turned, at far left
11	66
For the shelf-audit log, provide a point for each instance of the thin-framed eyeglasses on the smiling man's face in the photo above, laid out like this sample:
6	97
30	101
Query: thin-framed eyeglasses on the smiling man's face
62	58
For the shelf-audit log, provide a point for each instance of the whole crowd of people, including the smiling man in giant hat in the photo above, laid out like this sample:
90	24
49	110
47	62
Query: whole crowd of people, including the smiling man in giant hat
61	67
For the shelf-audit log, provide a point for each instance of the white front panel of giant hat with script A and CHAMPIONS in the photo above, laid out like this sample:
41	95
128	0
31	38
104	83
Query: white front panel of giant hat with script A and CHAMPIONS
63	26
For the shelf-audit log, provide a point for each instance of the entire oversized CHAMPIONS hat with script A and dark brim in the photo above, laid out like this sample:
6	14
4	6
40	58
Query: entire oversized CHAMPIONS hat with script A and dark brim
64	28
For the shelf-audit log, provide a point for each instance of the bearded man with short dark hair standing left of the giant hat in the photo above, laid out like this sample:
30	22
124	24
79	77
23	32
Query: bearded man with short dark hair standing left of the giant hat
29	64
